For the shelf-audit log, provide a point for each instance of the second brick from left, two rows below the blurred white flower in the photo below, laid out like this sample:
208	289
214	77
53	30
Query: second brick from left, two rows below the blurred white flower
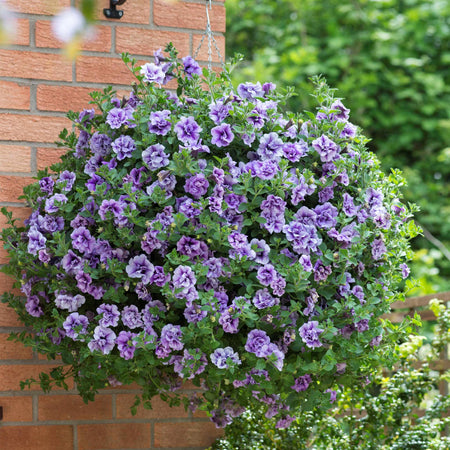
62	98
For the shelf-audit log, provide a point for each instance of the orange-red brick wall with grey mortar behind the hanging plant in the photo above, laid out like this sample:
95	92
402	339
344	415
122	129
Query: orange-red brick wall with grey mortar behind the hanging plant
37	87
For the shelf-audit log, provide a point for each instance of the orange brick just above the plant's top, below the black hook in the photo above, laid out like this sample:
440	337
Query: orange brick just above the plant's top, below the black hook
138	41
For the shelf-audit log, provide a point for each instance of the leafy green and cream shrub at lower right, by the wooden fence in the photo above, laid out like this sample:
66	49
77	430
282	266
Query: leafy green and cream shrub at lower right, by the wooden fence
382	416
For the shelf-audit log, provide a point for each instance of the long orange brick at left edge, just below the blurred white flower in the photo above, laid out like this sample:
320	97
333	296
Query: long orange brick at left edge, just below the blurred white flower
34	65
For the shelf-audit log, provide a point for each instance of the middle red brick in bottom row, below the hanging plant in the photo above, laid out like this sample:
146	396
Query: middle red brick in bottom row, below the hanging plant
113	436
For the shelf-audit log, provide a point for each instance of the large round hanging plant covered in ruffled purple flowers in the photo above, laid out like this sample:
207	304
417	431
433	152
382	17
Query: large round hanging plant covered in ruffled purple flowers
207	236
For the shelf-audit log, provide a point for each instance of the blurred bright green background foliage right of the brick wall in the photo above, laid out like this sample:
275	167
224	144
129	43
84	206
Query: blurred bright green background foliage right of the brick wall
390	61
